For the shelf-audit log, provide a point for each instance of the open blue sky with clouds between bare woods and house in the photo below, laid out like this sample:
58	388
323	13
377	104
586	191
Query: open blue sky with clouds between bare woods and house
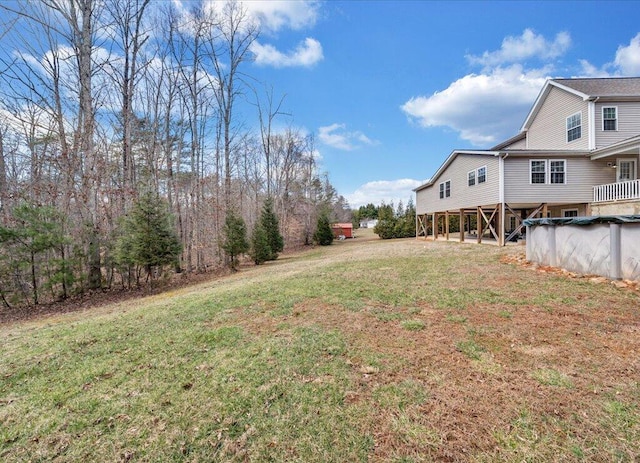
391	88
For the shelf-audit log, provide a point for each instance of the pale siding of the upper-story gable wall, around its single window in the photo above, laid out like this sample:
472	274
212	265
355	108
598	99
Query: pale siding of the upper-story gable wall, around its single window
549	128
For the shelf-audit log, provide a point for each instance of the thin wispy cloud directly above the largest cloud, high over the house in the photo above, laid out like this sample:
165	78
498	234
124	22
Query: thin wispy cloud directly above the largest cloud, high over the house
526	46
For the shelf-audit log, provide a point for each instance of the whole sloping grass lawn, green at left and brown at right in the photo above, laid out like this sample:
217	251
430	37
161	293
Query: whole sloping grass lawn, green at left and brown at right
367	350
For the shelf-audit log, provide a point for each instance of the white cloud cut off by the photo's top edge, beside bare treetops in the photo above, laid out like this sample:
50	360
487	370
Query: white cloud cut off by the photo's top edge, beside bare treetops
274	15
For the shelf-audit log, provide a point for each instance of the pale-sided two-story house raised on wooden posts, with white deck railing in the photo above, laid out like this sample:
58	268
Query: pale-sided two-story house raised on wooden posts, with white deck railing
577	154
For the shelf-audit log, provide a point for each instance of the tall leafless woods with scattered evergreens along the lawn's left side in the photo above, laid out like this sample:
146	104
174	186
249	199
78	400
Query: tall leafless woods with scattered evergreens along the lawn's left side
125	118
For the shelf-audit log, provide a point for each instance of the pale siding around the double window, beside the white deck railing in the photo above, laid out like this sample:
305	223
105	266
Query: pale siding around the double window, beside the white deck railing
581	175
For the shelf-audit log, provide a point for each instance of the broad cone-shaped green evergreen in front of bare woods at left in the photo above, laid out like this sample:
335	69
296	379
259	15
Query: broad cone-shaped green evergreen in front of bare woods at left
146	236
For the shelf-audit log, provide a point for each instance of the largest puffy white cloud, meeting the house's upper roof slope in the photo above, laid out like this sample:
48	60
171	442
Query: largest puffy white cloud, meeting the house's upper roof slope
483	108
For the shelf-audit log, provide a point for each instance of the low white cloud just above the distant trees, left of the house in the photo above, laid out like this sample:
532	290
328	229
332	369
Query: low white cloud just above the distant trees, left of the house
386	191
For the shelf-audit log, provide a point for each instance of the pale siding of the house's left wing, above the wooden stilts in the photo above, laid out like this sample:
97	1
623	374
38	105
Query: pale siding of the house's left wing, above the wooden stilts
462	195
